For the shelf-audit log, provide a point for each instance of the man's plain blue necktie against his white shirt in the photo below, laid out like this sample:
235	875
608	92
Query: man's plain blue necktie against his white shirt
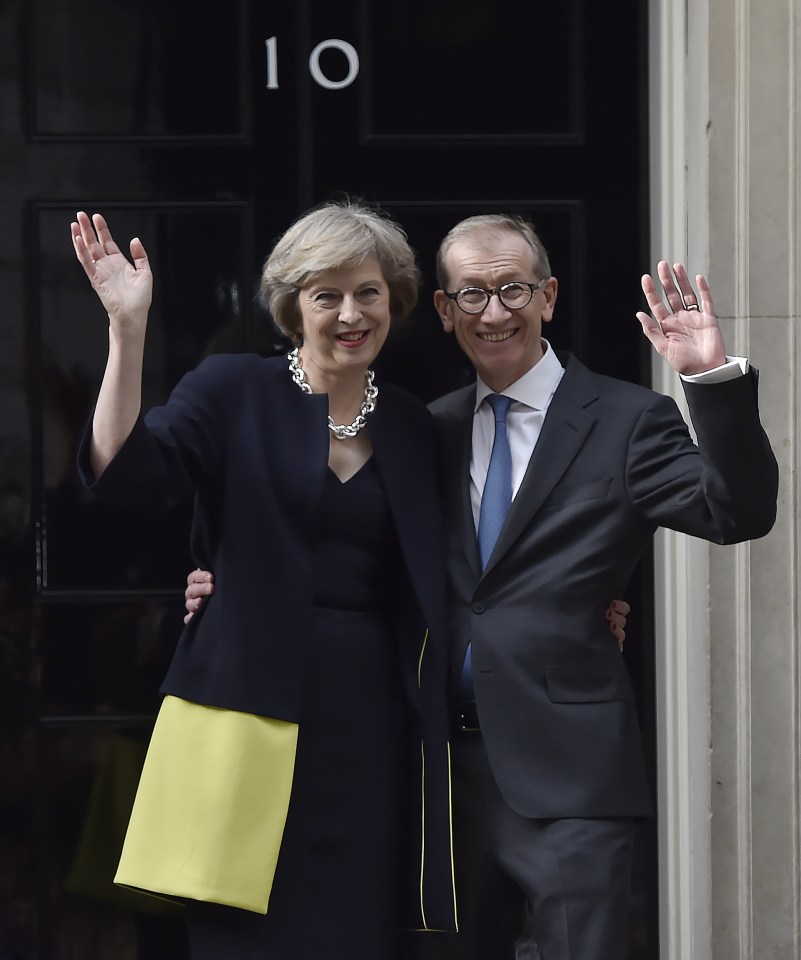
495	503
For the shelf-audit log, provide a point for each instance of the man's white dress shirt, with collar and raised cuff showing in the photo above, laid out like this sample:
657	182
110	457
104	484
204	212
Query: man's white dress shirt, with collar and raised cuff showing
531	395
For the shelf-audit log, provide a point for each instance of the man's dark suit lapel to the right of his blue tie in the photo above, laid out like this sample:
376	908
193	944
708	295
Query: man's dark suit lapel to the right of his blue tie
567	425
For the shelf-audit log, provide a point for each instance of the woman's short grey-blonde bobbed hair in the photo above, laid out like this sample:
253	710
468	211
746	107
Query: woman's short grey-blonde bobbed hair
337	236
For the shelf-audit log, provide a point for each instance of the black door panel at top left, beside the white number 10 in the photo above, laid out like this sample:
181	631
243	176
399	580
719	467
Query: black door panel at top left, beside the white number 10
143	72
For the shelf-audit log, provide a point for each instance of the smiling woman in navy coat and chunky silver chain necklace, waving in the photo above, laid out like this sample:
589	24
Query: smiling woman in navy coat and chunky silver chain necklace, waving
320	728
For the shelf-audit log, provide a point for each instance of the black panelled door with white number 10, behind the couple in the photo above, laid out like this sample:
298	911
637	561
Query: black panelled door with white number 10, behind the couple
206	131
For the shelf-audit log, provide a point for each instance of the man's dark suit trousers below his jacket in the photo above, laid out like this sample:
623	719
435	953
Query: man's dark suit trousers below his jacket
530	889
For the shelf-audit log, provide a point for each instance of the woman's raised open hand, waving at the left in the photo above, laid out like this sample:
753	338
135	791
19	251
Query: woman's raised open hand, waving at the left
125	288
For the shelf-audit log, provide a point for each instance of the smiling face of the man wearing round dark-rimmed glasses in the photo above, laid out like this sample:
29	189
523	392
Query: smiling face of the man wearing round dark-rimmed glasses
502	344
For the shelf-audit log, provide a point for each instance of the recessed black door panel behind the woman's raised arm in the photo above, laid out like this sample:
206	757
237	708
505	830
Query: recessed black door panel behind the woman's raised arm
202	304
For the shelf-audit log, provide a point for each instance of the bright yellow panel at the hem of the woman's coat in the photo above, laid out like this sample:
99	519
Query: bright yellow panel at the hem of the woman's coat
211	806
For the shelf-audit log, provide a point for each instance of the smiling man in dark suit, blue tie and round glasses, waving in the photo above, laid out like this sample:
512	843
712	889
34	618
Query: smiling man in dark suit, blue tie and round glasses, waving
551	496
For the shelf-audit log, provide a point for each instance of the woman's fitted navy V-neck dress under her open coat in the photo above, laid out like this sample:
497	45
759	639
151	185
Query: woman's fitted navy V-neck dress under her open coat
337	882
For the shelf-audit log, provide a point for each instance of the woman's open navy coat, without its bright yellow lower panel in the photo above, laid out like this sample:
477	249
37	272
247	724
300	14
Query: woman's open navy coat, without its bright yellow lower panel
239	436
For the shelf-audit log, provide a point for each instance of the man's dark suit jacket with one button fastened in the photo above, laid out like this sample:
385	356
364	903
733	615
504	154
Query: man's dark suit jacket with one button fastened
614	461
